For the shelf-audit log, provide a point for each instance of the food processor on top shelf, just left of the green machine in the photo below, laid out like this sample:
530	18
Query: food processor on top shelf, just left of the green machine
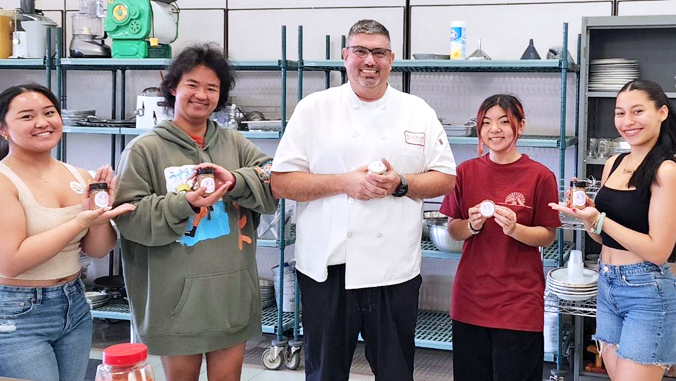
88	34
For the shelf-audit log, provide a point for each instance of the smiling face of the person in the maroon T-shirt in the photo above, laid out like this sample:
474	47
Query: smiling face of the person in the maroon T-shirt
497	132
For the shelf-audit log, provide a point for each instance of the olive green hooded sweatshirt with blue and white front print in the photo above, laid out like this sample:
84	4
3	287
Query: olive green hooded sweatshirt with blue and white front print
191	295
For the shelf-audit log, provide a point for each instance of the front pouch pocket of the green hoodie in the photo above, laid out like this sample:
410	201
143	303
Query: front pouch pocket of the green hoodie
216	302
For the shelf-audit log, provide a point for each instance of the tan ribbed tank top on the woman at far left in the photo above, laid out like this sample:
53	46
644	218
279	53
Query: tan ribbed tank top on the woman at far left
39	219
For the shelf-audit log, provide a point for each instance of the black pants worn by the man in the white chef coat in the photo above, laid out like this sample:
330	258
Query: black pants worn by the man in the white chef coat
333	318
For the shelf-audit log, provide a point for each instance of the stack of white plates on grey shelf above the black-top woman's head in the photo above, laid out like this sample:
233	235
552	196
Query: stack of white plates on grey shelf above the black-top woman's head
610	74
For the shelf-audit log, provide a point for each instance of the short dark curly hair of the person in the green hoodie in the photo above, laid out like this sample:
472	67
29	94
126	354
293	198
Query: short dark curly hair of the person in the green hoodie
208	55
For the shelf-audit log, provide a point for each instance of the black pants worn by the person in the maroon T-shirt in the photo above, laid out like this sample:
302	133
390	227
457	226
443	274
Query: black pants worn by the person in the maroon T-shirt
492	354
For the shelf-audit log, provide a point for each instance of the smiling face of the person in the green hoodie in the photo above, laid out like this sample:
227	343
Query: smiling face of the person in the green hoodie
197	95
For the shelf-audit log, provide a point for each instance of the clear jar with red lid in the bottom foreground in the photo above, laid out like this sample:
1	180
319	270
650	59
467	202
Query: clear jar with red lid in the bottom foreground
125	362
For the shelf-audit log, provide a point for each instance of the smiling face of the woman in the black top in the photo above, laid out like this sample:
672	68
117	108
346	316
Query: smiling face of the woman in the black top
637	118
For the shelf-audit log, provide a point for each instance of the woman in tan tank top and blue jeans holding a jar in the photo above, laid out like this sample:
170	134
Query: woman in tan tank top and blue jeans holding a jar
47	219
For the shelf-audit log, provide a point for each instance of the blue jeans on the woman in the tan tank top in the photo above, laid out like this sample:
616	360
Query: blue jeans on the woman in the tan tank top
45	332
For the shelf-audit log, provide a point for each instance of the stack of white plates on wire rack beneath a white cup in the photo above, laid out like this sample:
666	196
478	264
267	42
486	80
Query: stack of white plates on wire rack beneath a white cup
573	288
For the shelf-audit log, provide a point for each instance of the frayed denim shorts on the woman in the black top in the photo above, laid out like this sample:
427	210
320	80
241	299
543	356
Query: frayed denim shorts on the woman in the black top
636	310
